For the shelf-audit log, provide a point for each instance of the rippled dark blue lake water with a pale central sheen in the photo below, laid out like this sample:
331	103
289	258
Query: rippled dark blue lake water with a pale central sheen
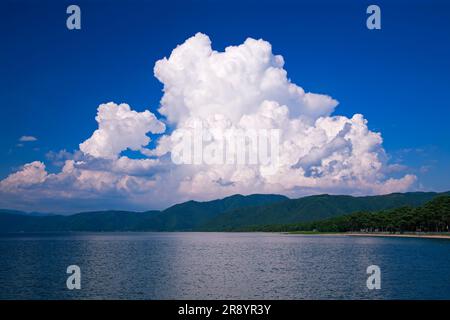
221	266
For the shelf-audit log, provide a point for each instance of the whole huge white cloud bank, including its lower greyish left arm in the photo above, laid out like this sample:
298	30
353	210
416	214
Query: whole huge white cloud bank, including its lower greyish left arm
241	89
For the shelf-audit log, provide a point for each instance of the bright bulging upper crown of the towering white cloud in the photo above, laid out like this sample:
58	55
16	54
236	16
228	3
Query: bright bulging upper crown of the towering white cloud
201	82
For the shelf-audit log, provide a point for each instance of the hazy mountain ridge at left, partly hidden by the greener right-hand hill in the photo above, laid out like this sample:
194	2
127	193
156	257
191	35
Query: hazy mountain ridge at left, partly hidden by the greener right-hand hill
186	216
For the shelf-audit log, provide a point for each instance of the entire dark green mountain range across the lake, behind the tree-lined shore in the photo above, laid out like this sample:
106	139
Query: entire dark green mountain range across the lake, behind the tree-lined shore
230	213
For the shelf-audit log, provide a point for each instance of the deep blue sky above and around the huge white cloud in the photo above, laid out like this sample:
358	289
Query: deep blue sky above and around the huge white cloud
52	79
